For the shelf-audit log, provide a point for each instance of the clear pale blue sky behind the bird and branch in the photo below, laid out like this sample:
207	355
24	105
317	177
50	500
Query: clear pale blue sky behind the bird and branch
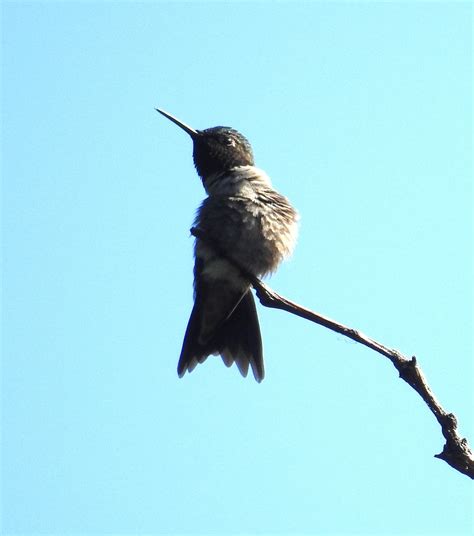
362	115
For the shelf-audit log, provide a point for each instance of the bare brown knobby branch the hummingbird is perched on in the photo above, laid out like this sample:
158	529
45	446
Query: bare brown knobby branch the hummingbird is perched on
456	451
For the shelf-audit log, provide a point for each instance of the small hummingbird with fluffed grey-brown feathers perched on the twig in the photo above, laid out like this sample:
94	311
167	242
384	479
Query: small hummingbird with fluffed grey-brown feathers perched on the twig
252	224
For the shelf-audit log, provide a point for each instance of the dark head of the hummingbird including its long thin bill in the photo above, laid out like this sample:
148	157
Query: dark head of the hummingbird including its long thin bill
216	149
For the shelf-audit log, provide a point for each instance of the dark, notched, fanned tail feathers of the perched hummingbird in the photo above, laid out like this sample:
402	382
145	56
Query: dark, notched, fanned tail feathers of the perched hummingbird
237	339
